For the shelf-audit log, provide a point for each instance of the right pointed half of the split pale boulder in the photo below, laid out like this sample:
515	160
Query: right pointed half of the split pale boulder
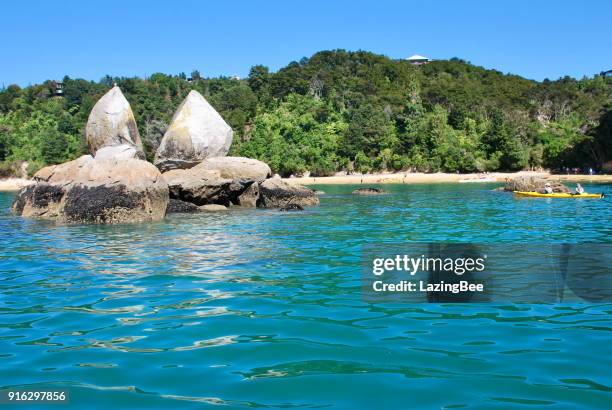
196	132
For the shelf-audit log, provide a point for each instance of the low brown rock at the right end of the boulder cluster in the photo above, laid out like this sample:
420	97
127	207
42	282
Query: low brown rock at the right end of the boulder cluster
274	193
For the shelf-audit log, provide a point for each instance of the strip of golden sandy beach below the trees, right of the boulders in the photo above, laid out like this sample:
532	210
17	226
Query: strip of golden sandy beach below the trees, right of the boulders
439	177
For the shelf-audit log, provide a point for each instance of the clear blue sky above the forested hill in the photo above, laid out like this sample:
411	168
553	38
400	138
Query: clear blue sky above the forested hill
87	39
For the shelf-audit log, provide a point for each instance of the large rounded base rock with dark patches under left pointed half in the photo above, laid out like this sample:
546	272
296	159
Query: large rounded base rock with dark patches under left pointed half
95	191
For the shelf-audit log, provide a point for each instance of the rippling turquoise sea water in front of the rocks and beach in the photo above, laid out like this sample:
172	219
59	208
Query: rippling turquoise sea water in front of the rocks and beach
260	308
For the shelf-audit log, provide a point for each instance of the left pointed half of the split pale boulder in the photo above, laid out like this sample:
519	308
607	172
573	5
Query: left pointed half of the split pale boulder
111	122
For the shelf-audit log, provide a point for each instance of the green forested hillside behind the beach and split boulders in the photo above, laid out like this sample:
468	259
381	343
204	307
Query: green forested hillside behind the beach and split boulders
340	110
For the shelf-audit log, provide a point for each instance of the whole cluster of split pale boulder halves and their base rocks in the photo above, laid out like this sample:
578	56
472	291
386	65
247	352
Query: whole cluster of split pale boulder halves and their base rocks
191	173
